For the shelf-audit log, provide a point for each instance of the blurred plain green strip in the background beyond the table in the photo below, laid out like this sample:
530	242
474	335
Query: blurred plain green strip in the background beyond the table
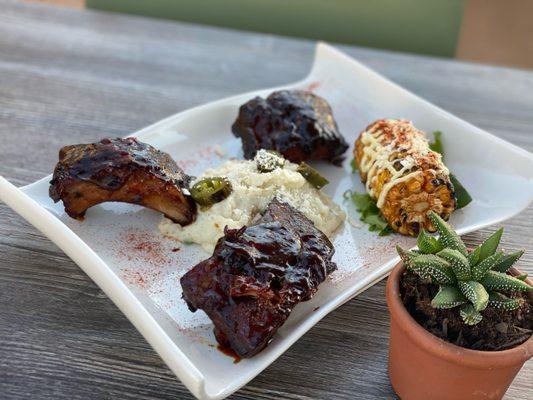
417	26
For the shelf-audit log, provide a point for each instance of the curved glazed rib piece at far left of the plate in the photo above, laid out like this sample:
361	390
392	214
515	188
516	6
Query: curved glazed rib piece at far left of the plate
120	170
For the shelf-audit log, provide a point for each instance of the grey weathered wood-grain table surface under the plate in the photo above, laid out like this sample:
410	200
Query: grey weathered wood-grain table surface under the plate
69	76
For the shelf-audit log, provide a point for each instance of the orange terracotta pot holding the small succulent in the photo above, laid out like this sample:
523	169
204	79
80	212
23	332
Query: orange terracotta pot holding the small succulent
422	366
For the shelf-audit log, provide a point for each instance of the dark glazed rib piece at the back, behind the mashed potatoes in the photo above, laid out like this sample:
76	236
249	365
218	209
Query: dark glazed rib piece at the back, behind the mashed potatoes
296	123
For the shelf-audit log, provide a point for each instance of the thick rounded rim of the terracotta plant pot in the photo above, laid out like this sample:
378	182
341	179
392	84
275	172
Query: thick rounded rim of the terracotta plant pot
443	349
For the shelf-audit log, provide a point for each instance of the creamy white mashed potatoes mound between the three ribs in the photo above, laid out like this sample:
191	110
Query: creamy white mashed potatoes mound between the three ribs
252	192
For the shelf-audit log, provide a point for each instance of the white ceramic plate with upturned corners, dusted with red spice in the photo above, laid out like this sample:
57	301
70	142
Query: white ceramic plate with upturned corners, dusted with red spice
119	246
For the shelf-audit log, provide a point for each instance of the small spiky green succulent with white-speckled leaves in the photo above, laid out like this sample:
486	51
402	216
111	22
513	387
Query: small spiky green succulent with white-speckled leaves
472	280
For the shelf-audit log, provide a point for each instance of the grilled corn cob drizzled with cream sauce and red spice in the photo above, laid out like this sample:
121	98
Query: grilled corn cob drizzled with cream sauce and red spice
405	177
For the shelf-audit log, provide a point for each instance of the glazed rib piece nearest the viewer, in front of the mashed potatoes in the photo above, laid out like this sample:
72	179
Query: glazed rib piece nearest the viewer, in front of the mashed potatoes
256	276
